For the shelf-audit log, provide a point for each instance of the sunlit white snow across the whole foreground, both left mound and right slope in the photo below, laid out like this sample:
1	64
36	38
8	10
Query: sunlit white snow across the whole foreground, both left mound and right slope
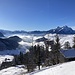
60	69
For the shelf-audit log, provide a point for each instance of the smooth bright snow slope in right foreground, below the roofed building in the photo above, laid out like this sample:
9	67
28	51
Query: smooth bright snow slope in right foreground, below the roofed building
63	69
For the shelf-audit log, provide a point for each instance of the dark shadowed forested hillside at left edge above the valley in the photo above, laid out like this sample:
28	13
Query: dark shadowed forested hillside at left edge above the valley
9	43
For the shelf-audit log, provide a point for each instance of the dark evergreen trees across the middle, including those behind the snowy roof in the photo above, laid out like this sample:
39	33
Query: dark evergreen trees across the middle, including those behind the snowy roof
41	56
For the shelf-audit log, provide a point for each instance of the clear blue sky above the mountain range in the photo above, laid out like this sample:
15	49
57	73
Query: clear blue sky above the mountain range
31	15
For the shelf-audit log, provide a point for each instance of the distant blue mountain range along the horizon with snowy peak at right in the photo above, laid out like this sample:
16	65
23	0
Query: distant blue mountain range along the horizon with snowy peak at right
58	30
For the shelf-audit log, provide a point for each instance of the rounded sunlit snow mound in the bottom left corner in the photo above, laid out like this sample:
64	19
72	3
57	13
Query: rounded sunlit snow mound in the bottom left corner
13	71
